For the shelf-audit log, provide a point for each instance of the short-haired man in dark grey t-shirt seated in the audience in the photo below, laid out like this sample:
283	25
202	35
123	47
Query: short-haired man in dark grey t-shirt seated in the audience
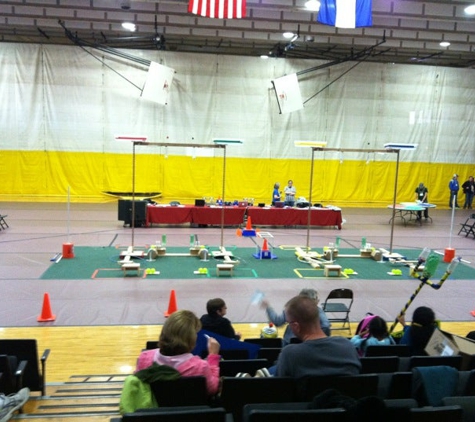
317	354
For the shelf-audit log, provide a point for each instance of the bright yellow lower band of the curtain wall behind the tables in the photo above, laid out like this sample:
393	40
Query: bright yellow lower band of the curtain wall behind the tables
47	175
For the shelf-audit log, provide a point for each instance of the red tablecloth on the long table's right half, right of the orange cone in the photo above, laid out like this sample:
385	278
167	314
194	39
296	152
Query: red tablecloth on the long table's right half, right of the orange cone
294	217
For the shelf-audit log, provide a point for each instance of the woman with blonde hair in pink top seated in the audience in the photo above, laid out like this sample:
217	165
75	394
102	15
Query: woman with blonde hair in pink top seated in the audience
176	341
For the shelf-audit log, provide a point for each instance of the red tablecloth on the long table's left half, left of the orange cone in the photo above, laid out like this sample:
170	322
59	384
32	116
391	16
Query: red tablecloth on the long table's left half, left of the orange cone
233	216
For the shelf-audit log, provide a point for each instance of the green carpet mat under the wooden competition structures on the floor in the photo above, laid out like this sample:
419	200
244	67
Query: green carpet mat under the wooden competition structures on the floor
101	262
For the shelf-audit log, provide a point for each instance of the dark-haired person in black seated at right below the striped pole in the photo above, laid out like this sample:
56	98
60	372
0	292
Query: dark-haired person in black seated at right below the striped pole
418	334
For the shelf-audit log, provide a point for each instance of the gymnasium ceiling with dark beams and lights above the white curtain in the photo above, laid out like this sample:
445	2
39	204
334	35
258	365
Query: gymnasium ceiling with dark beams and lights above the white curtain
403	31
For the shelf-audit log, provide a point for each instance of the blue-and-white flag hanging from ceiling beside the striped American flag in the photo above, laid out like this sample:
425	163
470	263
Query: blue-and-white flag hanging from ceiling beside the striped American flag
345	13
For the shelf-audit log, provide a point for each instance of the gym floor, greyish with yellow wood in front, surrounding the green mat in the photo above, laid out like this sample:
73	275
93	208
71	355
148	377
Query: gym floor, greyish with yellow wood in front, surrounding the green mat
112	343
